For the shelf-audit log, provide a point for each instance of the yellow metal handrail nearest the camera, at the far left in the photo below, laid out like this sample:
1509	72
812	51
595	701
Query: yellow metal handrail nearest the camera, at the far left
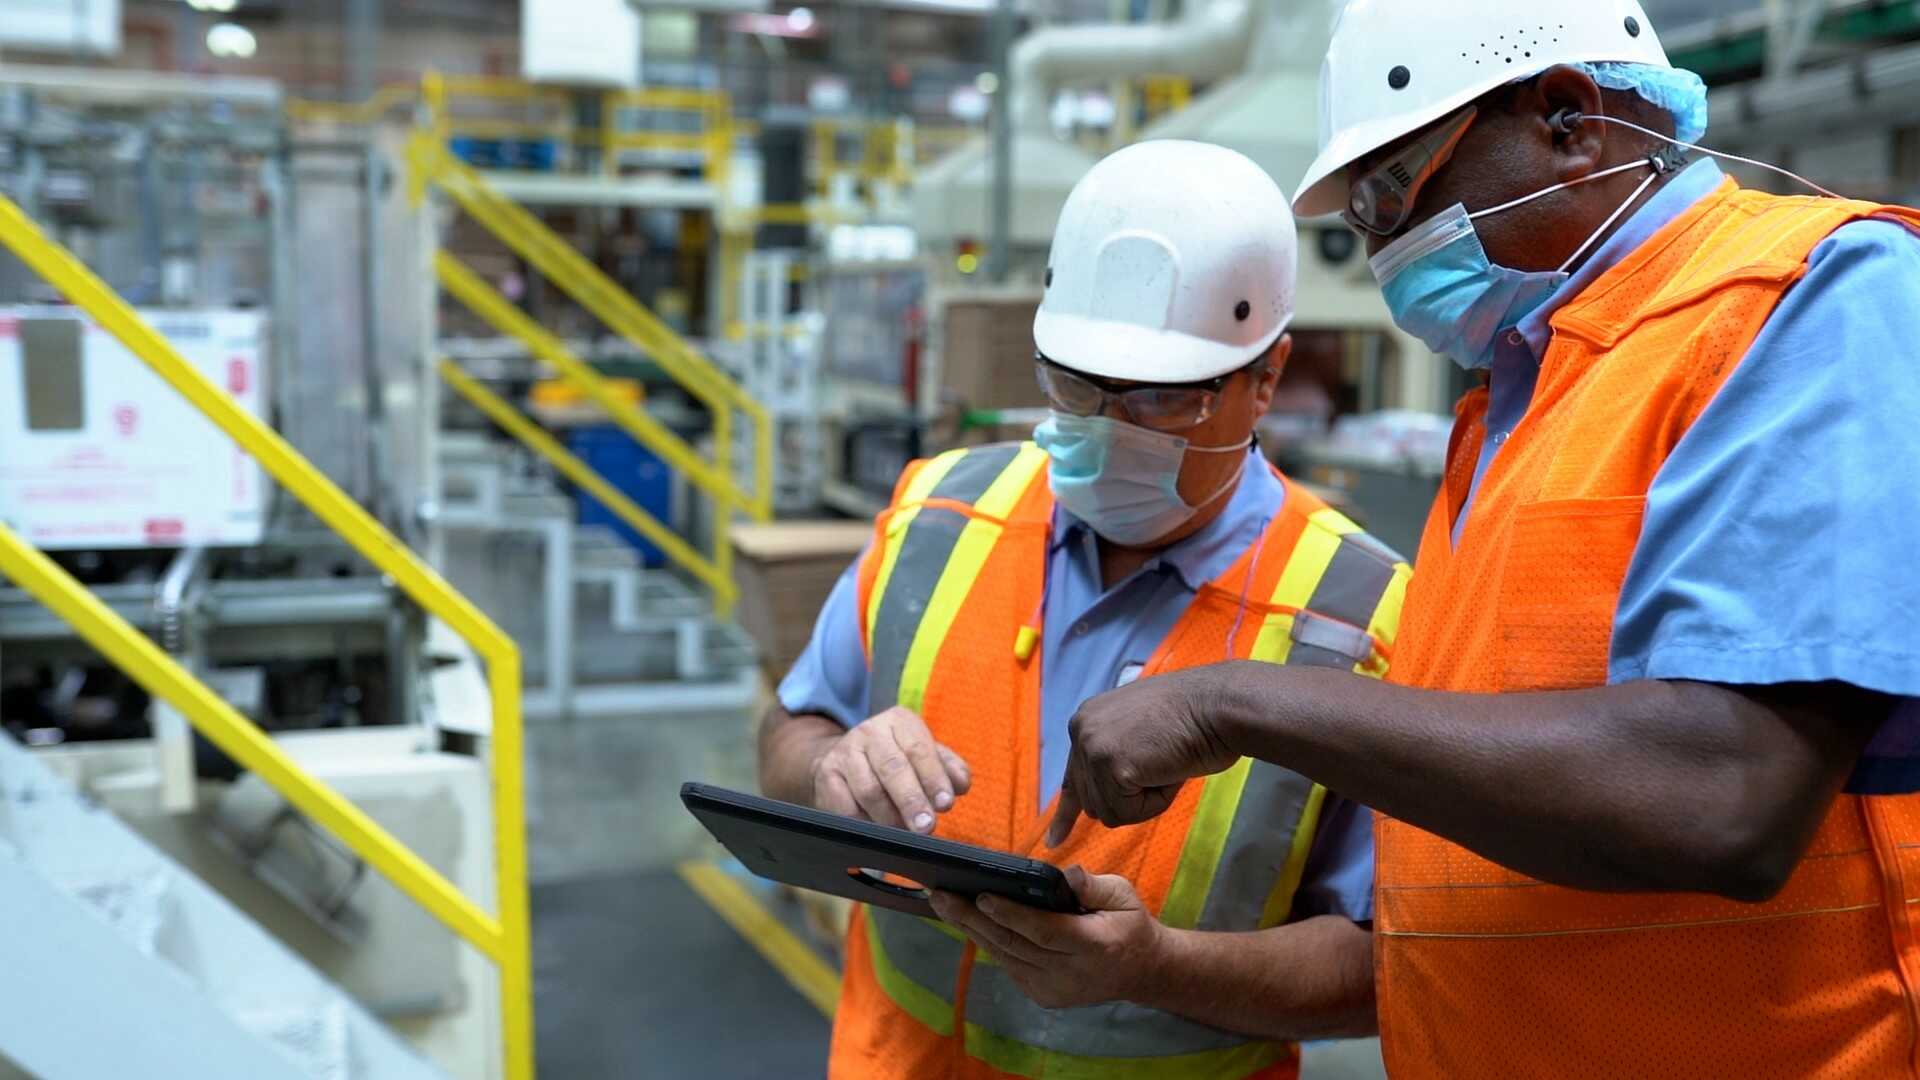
502	937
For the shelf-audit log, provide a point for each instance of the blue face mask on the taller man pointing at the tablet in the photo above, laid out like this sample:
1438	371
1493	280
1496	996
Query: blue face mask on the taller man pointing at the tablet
1445	291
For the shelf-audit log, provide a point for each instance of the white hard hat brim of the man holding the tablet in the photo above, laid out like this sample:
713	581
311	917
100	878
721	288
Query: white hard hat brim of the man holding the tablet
1140	355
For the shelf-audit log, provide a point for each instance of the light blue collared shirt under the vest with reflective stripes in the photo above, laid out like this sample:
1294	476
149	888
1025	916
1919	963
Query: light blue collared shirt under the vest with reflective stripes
1097	639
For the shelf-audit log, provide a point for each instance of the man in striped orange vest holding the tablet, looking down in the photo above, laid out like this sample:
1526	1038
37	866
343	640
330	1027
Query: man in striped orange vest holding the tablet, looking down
1140	535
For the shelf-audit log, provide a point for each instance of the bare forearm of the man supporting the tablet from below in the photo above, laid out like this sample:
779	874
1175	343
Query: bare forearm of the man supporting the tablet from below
1303	981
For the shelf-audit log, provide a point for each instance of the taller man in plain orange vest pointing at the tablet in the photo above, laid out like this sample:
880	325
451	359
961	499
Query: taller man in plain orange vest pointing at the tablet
1648	756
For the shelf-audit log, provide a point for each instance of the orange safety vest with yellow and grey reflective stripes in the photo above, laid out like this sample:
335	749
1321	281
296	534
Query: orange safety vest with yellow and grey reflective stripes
953	579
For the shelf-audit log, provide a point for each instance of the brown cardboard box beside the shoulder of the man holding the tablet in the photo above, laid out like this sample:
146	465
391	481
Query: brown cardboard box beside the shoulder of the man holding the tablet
786	574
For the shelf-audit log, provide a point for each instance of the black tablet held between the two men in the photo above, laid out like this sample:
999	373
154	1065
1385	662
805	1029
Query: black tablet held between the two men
842	856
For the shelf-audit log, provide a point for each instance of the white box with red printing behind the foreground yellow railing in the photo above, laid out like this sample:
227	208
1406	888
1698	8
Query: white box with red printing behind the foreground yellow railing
99	453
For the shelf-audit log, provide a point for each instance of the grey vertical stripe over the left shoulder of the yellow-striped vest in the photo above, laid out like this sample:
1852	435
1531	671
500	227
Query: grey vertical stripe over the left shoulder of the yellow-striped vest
917	570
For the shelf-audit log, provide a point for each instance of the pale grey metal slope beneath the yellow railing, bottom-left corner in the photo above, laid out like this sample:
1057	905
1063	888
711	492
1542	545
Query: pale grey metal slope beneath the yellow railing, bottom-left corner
107	929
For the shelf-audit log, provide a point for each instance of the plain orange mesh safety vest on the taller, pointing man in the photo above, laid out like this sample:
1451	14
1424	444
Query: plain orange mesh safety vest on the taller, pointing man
1489	973
